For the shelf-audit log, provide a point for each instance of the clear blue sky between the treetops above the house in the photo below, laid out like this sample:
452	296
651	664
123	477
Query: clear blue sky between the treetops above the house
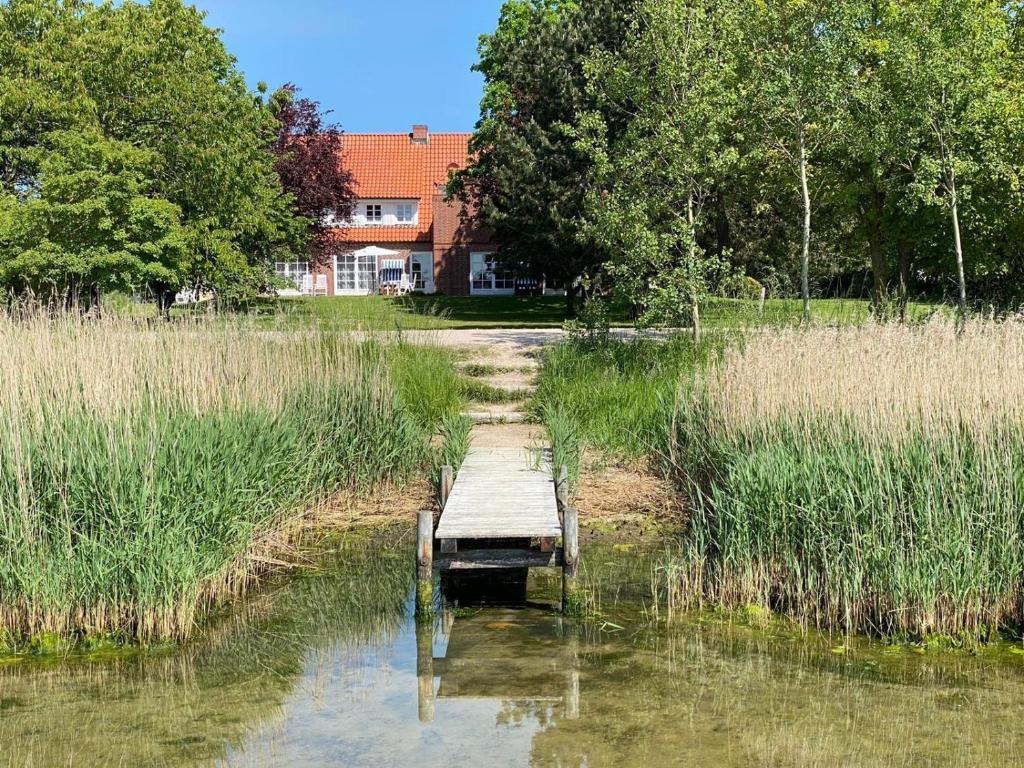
379	65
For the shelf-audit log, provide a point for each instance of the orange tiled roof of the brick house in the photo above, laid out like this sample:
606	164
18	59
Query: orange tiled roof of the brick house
392	166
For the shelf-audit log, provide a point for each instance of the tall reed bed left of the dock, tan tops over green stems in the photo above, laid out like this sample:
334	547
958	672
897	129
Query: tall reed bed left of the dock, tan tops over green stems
149	473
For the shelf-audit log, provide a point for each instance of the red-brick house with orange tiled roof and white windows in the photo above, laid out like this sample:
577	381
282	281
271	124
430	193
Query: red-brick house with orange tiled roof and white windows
404	234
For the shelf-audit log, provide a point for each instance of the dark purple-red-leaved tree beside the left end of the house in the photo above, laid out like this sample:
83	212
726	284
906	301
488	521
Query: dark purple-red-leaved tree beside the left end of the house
311	164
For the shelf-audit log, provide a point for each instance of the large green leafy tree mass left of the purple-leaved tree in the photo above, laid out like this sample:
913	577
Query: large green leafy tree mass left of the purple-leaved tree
133	155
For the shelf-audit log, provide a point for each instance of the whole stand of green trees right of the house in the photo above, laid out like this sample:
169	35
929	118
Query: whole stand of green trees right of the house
819	148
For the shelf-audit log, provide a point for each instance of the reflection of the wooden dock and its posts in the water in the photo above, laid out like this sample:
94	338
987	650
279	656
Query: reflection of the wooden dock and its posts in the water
507	656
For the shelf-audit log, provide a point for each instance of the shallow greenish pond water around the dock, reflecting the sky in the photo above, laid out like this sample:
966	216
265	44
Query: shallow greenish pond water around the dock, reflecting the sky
329	668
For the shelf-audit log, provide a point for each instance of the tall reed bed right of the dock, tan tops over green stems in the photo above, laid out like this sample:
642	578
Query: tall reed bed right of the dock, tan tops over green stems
862	481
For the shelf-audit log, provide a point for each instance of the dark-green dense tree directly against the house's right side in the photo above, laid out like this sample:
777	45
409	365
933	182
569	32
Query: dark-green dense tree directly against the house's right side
530	178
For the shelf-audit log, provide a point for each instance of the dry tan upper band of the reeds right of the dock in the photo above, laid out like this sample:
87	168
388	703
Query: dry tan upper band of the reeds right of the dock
892	377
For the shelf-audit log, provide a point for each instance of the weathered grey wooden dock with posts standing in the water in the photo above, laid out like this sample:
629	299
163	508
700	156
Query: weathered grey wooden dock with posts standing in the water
503	510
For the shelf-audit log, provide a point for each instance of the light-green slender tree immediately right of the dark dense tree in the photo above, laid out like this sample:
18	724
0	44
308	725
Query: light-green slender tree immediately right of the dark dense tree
676	79
